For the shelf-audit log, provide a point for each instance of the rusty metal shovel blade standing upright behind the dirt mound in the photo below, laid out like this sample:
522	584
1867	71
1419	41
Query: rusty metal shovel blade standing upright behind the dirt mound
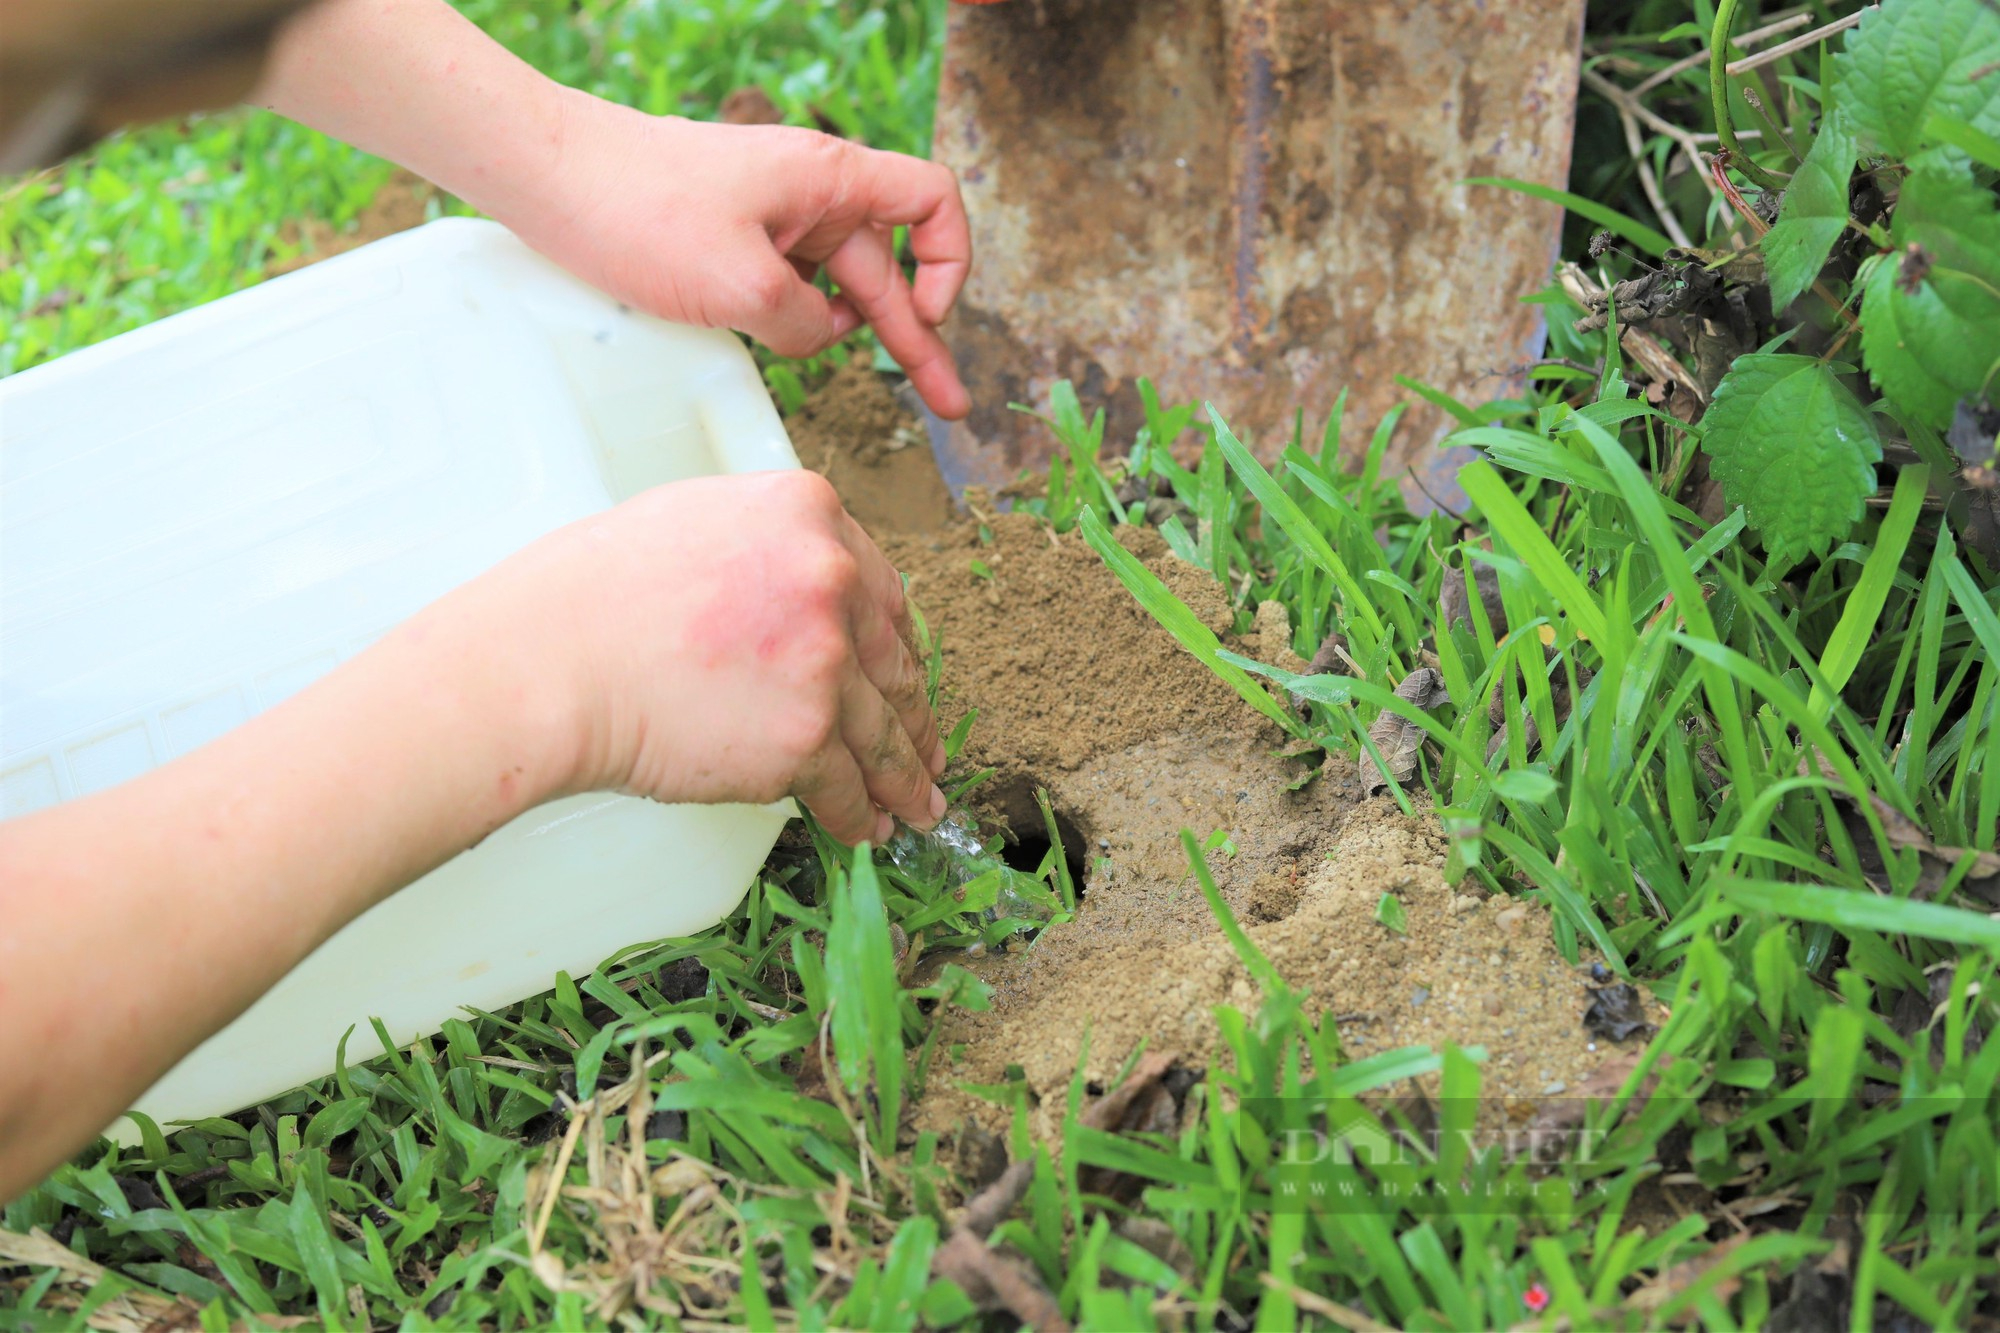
1255	203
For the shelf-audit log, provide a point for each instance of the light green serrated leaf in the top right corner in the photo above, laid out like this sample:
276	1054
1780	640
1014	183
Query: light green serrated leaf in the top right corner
1915	59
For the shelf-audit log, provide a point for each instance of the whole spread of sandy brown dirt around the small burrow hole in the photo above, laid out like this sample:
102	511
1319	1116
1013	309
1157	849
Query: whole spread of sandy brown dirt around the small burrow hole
1085	696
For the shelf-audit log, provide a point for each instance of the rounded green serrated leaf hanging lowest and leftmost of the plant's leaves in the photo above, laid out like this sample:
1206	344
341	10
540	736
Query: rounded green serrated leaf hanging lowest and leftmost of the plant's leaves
1793	447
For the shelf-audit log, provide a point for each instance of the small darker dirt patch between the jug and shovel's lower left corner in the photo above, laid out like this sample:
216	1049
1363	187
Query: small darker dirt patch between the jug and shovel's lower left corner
855	433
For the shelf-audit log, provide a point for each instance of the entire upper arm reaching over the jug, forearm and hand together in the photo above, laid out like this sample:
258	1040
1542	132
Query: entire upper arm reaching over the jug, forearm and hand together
697	223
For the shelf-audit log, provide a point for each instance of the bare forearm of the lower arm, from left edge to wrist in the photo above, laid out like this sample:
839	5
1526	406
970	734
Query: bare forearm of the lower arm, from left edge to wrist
143	920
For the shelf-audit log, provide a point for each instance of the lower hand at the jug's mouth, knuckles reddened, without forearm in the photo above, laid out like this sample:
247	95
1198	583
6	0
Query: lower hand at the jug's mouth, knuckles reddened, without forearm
727	639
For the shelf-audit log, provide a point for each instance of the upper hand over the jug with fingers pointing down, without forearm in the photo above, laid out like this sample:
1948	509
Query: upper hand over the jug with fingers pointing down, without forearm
727	227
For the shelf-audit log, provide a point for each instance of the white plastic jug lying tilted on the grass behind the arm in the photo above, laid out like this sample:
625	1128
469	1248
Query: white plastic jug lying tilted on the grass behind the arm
203	515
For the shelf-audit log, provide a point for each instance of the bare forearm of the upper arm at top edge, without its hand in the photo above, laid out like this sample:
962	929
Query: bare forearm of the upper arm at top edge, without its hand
417	83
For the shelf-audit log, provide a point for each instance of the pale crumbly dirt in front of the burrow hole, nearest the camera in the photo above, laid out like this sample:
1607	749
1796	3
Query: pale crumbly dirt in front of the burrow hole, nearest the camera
1471	972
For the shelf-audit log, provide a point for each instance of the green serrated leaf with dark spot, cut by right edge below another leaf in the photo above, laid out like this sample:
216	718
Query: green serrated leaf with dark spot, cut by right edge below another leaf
1931	311
